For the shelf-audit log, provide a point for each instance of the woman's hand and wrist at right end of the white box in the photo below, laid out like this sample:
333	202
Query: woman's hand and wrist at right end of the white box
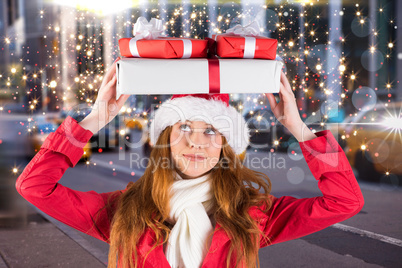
287	113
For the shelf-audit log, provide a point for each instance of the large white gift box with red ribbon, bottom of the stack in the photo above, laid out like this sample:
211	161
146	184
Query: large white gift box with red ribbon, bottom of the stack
197	76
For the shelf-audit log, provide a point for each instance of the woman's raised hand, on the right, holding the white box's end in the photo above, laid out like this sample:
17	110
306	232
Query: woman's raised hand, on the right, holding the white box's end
286	110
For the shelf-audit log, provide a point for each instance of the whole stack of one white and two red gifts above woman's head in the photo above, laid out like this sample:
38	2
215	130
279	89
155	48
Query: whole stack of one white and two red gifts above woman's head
165	65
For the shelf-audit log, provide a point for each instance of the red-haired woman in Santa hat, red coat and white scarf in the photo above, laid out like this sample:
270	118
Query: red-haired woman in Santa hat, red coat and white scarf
196	204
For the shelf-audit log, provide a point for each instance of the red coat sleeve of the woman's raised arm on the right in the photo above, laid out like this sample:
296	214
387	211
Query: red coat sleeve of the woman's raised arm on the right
290	218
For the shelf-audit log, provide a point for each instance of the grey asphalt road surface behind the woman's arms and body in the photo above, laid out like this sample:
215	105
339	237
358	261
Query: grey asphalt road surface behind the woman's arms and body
372	238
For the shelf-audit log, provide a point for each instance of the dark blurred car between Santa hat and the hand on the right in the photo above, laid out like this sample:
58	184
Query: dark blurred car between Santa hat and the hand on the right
266	131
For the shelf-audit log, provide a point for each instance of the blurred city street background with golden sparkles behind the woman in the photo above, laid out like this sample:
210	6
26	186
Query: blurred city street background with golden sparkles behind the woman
343	60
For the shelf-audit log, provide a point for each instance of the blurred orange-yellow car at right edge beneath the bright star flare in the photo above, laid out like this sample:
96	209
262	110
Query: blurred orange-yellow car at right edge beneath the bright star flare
373	141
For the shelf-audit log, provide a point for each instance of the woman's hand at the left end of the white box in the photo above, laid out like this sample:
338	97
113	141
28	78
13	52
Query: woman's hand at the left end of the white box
106	107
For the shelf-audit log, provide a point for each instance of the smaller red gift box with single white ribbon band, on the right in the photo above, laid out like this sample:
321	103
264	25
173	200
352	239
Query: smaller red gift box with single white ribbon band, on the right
247	47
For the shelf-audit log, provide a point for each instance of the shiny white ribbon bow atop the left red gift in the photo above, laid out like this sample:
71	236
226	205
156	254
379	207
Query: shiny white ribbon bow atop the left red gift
147	30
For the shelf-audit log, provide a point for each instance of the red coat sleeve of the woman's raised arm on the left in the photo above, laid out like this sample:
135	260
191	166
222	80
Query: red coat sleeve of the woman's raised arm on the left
38	183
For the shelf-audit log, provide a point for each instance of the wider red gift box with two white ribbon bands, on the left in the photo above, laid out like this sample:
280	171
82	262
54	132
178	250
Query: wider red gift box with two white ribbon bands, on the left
163	48
